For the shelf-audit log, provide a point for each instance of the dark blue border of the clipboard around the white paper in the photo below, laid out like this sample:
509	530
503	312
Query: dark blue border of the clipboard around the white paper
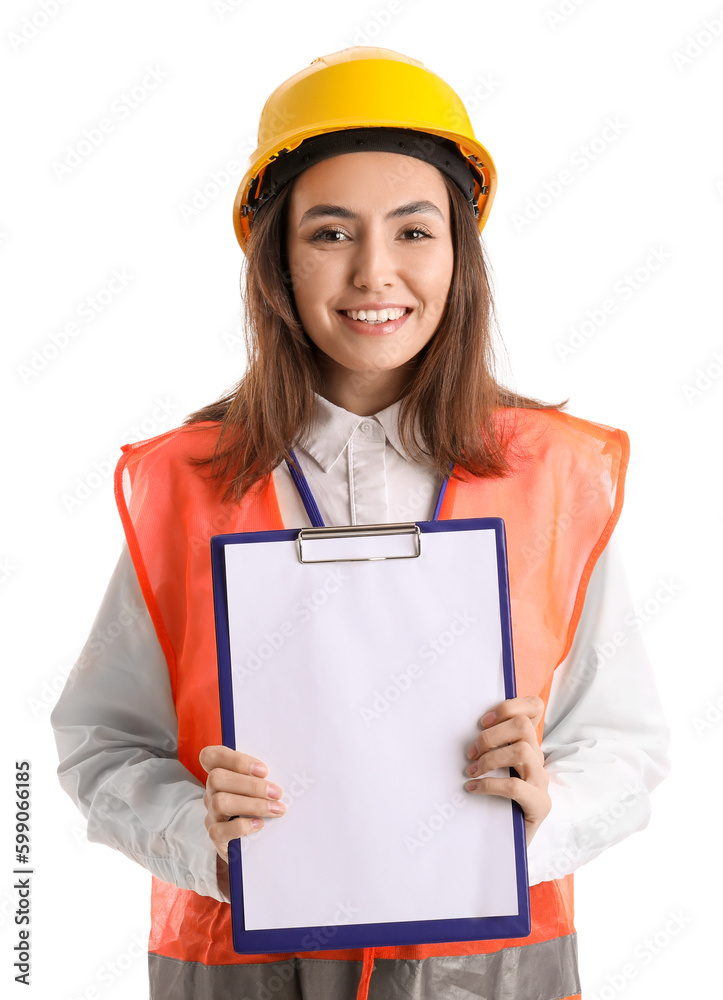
367	935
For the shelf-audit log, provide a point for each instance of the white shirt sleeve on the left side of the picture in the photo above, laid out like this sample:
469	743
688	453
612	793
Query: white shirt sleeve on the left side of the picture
116	732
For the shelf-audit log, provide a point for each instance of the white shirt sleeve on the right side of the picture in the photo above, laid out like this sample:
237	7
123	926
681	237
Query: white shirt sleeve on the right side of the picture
605	739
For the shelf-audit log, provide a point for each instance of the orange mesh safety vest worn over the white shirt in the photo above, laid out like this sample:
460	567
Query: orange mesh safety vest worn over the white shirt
560	505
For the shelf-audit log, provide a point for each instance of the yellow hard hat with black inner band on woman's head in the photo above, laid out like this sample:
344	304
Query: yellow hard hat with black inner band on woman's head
367	97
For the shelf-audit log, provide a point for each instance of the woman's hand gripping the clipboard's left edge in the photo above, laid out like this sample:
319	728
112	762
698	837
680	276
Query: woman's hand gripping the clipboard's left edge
234	796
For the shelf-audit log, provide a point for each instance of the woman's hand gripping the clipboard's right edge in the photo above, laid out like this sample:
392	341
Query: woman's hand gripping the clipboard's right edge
509	740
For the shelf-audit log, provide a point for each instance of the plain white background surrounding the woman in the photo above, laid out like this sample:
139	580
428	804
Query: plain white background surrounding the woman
539	89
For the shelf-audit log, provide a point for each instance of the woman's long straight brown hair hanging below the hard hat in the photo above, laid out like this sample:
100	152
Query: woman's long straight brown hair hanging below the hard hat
452	391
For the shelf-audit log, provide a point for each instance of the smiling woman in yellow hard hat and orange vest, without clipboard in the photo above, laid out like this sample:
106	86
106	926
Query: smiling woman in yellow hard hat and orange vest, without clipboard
369	315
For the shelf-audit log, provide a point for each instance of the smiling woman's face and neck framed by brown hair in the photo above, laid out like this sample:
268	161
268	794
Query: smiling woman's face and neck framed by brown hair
370	231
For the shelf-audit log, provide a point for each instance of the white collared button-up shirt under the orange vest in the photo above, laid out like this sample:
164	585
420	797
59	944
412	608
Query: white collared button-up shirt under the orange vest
605	739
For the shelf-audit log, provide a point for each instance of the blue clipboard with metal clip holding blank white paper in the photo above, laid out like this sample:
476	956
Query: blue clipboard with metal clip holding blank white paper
355	662
